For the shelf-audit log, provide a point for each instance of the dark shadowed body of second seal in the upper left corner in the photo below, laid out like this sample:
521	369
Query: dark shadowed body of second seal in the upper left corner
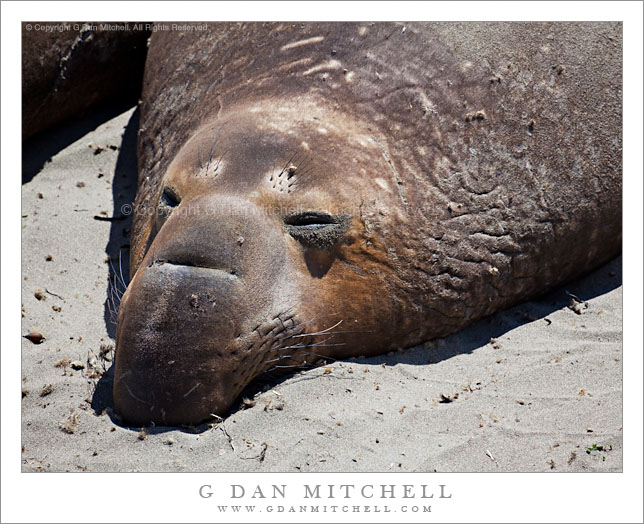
66	72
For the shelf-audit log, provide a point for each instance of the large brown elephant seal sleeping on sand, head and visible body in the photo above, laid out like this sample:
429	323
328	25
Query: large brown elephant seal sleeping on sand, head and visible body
334	190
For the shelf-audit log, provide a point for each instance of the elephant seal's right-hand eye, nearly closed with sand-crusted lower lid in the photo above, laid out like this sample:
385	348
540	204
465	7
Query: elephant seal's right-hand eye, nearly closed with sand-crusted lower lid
316	229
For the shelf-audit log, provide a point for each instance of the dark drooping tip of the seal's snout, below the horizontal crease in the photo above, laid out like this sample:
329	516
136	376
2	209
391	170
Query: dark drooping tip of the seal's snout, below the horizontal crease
173	334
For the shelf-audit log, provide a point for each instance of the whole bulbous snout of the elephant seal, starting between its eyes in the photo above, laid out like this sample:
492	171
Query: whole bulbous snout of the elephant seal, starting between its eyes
185	320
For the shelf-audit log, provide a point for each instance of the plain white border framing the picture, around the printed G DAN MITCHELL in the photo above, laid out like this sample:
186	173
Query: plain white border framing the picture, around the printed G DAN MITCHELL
174	498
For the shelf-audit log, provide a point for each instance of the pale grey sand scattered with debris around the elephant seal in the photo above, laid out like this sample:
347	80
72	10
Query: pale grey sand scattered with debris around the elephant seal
535	388
